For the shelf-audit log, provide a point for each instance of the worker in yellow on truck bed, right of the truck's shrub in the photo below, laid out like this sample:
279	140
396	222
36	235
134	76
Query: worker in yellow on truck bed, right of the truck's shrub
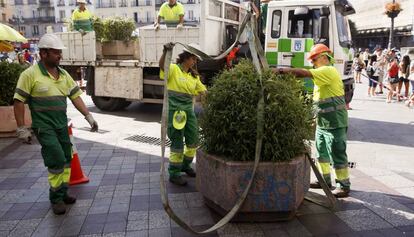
172	12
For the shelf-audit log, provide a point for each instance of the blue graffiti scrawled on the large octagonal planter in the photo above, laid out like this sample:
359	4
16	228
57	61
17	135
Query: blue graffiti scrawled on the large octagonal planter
267	192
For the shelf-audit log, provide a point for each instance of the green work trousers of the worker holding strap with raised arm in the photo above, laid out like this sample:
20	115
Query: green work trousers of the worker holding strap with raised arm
182	156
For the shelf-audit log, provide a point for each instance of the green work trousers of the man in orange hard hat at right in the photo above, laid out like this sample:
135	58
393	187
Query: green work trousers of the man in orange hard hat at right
331	149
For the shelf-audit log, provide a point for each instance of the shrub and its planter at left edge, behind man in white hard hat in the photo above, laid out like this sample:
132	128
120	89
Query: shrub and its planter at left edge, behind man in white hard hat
9	76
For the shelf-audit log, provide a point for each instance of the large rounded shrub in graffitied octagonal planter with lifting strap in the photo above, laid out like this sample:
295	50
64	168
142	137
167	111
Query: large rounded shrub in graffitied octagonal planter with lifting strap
228	130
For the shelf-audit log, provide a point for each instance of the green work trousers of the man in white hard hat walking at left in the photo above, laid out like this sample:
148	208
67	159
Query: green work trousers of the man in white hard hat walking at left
57	155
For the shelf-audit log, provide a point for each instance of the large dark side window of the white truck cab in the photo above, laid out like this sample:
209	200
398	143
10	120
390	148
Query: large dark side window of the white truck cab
304	26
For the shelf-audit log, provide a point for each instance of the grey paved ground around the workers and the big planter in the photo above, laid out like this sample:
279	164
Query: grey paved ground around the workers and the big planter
122	198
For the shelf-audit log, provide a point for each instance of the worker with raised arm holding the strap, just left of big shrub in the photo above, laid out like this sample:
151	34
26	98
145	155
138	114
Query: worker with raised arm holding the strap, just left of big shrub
183	84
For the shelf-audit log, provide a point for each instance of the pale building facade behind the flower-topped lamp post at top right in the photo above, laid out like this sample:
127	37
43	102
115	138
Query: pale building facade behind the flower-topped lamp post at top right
373	26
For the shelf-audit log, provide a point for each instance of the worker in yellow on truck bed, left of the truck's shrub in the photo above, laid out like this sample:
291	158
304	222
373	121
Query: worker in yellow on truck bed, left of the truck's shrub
82	17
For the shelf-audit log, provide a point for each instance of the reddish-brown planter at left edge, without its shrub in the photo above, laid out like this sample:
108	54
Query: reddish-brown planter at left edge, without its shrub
8	124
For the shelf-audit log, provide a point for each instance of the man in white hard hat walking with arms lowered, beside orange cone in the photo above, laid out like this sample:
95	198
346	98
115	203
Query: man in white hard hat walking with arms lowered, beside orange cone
45	87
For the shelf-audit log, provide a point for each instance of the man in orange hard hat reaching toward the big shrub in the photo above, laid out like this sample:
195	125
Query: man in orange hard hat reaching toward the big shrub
332	117
